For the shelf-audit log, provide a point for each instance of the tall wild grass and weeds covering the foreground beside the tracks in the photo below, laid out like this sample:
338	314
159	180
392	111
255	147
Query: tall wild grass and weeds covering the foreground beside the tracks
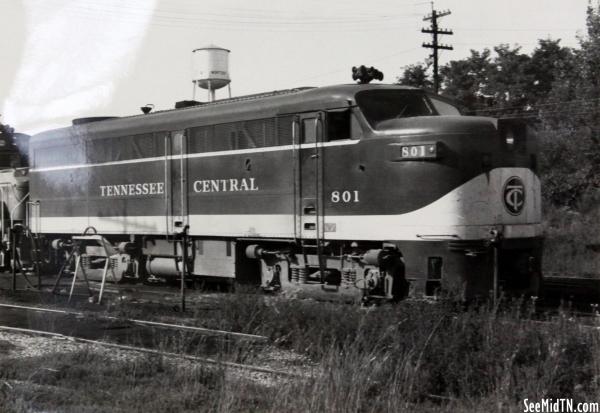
414	356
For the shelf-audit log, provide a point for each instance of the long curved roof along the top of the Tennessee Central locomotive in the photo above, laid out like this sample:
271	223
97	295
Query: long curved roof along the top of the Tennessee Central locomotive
241	108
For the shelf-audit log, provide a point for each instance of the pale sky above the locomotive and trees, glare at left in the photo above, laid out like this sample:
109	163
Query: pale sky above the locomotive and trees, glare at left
65	59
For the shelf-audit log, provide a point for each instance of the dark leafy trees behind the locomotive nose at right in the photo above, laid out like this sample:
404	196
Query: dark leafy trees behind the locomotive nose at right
556	87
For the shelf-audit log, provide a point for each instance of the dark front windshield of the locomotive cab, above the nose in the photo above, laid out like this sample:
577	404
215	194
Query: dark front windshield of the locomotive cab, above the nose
379	106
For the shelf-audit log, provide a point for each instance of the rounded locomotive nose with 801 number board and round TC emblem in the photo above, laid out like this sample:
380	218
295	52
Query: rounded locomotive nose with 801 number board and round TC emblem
466	171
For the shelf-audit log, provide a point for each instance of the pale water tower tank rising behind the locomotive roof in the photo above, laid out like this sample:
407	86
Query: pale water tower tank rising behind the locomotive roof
210	67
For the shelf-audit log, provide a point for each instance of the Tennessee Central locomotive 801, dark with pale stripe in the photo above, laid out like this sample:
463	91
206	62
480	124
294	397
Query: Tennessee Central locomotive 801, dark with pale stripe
353	190
